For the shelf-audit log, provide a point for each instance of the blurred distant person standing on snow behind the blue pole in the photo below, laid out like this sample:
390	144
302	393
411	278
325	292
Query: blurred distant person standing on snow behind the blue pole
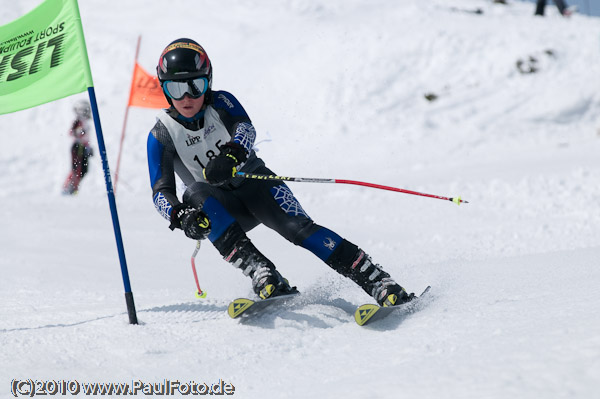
81	149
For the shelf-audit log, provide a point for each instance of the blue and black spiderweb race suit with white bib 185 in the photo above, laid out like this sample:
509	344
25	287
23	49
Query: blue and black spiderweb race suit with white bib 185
184	146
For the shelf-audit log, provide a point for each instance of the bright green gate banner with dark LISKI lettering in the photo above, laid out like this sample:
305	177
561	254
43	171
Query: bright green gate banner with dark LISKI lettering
43	57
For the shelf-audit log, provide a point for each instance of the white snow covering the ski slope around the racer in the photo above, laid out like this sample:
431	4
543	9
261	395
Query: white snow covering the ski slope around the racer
336	89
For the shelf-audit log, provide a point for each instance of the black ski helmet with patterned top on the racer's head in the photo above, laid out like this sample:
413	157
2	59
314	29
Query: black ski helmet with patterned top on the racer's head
183	59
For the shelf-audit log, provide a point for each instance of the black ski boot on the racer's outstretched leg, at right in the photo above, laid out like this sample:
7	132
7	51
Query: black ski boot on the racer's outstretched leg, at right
354	263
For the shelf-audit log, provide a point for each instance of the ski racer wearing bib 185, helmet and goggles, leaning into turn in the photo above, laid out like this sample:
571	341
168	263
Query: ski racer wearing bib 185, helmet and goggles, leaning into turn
205	137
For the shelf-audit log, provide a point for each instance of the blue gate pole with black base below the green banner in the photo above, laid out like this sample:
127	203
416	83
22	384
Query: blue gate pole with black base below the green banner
113	208
